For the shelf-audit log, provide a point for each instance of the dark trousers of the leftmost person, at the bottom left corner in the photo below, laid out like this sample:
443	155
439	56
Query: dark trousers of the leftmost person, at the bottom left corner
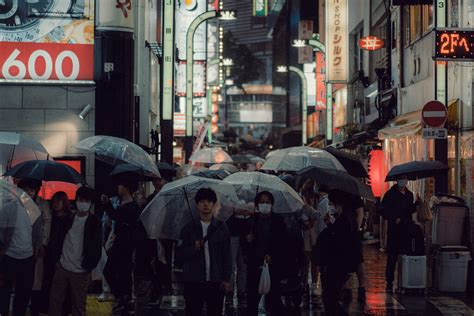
20	272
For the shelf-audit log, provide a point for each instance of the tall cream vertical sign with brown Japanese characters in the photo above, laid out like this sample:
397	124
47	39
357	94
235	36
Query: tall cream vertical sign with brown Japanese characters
336	41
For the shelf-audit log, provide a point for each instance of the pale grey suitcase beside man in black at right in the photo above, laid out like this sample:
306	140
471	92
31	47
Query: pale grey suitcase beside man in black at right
411	273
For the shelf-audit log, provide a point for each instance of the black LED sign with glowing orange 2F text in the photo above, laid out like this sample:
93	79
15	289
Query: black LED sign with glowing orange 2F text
454	44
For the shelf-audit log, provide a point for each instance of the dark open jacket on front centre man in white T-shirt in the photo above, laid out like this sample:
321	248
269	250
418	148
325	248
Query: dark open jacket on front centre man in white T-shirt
193	261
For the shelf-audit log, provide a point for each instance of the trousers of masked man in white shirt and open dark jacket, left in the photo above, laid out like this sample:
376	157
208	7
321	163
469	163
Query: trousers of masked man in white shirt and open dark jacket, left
77	284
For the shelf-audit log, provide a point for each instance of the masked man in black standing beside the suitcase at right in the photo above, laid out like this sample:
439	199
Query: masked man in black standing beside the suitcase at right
397	208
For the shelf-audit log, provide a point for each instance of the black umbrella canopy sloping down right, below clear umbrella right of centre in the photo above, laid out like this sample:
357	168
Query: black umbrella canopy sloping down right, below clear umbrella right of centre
337	179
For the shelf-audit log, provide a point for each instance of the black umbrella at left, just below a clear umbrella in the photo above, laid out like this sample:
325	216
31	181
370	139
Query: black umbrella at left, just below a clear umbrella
45	170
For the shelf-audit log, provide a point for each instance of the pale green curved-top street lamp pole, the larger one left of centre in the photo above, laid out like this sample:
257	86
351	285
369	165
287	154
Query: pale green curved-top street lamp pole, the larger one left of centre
189	77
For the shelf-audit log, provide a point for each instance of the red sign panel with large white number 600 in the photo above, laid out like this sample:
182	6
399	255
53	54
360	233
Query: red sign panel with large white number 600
46	61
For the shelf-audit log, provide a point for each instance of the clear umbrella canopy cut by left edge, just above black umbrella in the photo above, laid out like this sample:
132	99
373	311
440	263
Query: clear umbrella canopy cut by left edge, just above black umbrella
16	148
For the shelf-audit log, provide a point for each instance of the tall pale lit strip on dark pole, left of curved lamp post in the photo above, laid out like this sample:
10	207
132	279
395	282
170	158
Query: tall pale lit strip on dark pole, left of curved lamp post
168	59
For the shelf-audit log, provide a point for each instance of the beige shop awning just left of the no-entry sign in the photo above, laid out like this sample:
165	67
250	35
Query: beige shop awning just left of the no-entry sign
403	125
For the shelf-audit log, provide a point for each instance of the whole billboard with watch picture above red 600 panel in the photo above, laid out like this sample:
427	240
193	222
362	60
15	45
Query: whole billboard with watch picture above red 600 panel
44	41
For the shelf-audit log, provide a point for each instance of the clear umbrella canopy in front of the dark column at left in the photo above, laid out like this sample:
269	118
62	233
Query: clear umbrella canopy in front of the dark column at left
113	151
